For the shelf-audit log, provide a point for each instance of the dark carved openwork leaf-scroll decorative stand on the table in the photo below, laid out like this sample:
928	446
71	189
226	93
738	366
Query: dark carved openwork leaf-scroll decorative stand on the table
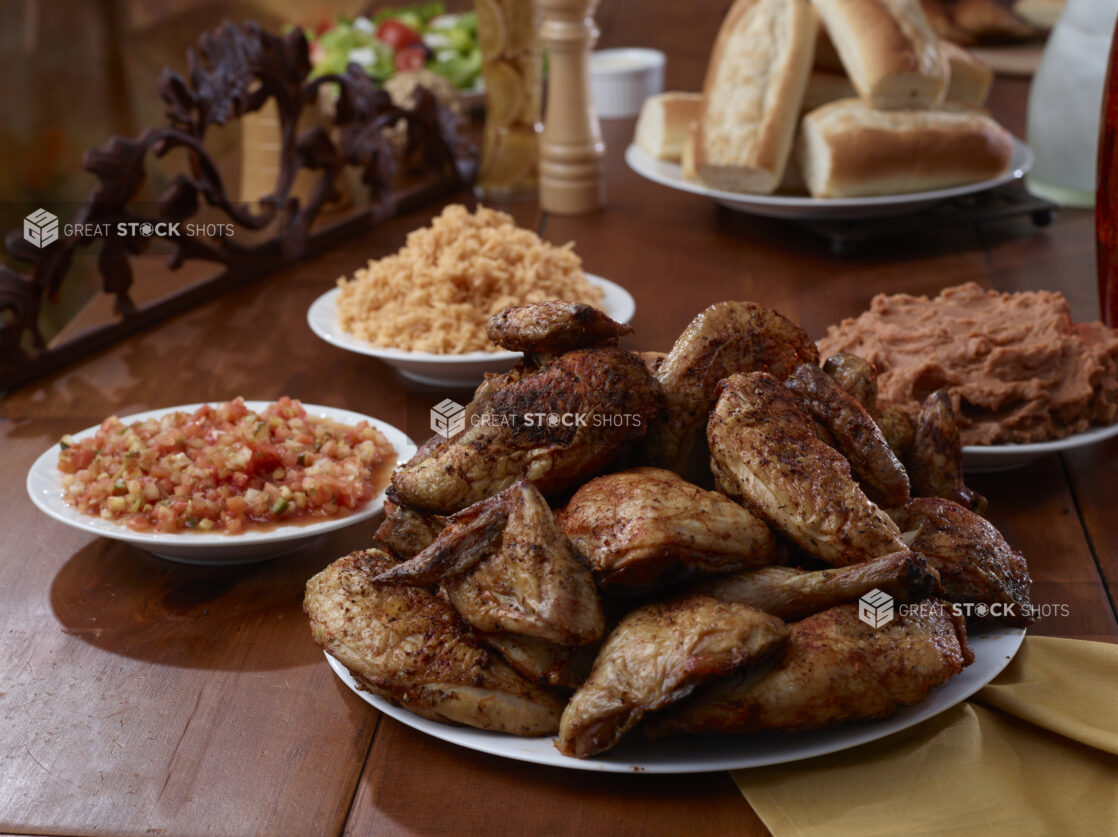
234	72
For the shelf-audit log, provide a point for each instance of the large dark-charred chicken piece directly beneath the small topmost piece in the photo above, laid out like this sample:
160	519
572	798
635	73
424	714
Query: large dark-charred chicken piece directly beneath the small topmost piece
602	400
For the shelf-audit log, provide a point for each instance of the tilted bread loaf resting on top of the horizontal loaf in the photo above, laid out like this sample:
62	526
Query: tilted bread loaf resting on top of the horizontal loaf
889	51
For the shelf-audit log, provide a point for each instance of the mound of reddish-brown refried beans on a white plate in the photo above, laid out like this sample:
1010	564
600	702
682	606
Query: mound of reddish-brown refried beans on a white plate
1017	366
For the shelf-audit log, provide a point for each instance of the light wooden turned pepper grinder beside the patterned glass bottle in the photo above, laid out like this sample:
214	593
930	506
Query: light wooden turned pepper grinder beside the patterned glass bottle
571	146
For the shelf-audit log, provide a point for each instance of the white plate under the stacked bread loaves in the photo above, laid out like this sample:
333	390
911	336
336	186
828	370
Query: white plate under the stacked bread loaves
806	208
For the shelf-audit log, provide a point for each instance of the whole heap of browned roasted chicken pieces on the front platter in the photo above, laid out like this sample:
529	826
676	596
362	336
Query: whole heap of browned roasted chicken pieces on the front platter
497	612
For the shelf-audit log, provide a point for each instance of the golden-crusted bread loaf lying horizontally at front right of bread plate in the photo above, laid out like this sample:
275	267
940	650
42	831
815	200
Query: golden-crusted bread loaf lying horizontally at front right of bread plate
848	149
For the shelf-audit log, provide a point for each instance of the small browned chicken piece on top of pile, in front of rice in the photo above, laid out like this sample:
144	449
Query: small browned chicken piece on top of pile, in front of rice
553	328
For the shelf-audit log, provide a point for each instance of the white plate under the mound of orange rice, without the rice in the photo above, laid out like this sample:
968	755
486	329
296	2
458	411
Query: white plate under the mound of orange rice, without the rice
460	372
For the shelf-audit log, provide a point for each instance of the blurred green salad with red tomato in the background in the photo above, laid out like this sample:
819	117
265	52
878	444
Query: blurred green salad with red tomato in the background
413	37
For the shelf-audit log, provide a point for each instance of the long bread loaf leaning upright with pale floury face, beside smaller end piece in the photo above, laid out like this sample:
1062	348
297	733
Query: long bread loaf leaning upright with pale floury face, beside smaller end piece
755	83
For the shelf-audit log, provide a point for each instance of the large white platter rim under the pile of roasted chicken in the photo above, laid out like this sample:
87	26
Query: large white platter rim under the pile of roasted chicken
993	652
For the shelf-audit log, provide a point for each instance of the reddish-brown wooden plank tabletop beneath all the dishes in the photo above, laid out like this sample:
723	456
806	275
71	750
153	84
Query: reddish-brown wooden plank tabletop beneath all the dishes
140	697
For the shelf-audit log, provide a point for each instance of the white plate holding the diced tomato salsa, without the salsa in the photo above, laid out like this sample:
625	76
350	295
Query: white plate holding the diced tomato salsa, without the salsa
45	488
